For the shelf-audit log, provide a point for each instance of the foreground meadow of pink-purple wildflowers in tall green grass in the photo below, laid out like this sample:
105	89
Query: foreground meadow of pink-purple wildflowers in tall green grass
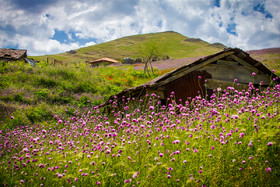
231	139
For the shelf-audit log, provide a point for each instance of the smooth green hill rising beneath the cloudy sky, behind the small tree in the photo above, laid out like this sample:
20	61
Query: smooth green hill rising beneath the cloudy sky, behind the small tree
176	46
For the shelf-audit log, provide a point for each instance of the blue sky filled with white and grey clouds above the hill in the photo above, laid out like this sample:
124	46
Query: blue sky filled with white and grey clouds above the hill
55	26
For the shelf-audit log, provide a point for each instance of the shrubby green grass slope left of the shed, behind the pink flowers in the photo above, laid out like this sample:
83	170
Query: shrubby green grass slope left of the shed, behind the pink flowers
36	94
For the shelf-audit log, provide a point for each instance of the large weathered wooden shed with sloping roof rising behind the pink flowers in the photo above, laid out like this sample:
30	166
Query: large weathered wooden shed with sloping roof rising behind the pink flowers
231	67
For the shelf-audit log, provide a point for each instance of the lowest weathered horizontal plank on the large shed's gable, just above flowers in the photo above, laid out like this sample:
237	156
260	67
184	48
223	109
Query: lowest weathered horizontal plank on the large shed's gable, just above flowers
214	84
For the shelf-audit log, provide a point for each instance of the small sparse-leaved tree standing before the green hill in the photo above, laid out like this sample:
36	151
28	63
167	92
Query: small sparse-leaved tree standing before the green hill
149	51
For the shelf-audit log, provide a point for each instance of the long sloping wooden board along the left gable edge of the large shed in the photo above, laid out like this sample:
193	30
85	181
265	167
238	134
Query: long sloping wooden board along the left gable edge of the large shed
183	72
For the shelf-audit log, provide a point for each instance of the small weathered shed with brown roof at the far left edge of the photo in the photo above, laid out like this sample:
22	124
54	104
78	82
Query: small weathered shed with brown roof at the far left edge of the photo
12	54
